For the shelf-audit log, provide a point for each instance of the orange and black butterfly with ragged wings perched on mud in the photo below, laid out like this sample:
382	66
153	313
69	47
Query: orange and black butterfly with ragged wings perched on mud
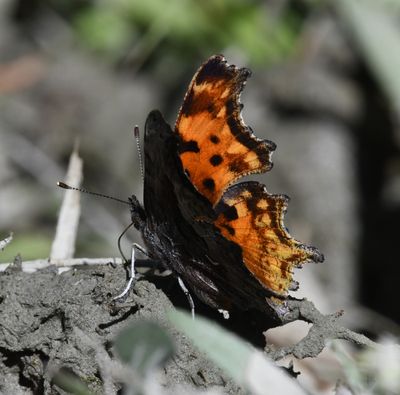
225	241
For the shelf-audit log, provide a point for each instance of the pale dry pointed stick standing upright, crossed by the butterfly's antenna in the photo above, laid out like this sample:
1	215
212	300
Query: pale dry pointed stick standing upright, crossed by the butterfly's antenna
63	246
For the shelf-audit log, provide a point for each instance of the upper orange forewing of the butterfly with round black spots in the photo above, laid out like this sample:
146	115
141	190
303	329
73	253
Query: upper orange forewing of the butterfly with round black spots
216	147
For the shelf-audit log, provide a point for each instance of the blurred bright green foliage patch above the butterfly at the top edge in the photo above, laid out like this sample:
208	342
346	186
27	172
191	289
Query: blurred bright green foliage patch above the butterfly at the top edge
187	27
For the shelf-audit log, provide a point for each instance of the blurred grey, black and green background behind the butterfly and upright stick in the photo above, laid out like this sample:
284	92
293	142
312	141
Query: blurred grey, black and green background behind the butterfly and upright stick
325	88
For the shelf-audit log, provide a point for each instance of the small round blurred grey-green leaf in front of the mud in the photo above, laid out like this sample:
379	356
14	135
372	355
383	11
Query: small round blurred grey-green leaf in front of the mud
144	346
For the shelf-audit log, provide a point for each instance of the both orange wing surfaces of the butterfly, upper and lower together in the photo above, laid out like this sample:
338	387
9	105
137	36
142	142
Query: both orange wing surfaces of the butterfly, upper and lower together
216	148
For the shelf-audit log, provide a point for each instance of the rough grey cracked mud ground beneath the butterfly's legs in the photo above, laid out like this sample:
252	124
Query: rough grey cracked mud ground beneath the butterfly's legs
39	314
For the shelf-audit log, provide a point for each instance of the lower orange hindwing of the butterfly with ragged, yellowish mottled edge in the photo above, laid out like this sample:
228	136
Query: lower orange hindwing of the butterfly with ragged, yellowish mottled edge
252	218
